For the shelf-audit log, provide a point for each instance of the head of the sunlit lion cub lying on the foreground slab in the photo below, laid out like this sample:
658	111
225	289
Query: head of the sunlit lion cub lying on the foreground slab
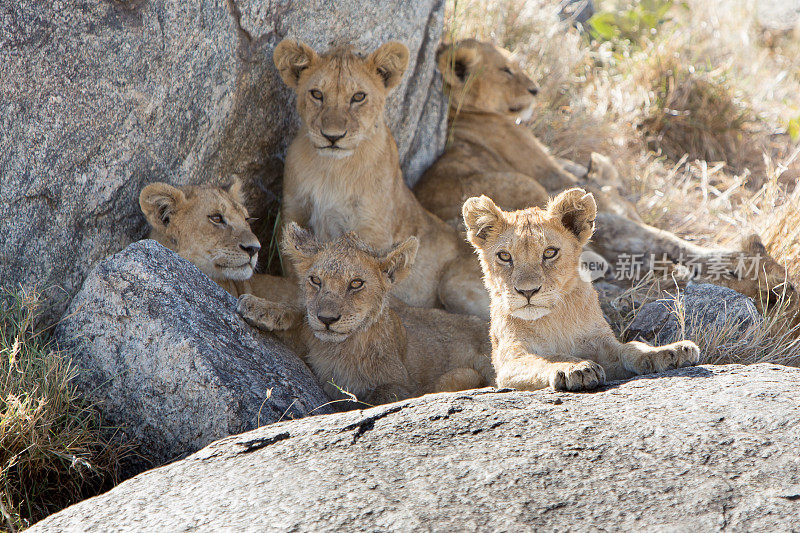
530	257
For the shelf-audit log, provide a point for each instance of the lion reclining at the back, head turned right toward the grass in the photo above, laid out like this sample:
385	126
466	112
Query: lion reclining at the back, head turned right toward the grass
491	153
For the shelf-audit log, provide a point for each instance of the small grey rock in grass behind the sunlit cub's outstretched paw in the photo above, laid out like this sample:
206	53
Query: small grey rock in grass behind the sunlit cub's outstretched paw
706	307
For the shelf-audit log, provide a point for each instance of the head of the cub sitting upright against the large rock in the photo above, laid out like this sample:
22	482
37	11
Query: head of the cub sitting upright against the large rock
340	94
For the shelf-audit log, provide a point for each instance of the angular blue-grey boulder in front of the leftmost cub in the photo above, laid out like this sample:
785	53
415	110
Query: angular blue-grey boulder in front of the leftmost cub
161	348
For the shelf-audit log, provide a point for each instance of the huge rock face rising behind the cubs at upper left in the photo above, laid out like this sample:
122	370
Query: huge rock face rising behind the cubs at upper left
99	98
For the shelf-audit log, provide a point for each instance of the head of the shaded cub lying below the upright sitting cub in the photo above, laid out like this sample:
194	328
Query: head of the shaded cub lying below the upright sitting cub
345	282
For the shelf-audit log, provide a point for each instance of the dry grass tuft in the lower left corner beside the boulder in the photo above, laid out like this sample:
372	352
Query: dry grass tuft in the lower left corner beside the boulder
53	451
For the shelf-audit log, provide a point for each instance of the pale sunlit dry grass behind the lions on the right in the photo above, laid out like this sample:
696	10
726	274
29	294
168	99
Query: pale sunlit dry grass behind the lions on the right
697	110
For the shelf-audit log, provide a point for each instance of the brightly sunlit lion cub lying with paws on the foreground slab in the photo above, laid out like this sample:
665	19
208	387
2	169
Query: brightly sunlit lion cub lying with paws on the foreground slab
546	324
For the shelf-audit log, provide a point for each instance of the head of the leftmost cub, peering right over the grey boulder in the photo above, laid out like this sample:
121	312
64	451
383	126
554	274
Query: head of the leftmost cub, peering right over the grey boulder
207	226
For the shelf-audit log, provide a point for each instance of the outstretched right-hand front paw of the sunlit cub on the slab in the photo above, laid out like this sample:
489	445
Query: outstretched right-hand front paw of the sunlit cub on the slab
639	358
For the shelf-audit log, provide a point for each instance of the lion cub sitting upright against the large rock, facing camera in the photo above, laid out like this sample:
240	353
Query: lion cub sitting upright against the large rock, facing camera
350	181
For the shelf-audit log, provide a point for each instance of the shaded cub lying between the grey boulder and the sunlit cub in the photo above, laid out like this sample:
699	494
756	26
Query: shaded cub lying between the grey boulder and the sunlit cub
357	341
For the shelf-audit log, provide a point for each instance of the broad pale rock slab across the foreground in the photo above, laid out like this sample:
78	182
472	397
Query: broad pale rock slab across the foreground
698	449
